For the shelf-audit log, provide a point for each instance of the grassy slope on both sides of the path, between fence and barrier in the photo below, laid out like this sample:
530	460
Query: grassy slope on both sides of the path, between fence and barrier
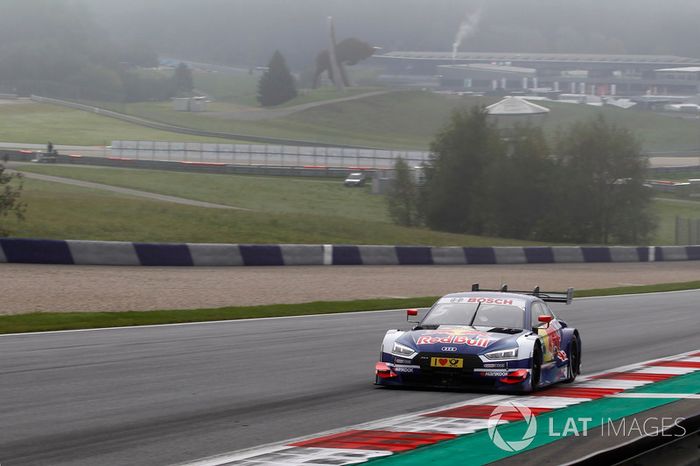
283	210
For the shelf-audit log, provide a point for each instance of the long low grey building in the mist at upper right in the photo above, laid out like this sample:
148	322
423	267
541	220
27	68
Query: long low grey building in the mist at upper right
594	74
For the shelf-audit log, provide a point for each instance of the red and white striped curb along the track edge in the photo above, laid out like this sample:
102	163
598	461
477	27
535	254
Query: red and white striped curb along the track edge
360	443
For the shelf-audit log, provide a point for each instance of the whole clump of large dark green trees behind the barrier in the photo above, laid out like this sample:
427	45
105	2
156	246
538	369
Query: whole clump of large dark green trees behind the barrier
591	191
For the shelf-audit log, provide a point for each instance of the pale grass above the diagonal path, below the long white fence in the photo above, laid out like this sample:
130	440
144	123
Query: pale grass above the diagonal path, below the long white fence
314	197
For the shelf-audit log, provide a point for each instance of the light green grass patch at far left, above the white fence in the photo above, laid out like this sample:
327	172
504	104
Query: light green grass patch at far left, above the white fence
34	123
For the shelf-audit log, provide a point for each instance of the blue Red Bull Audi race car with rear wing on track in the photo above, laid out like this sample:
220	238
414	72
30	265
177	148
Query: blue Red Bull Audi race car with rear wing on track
507	341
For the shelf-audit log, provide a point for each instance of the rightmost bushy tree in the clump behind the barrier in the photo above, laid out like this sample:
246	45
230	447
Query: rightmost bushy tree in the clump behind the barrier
600	186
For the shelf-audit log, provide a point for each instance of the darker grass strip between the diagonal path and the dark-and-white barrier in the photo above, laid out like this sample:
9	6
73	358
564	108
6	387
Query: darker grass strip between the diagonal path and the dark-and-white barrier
57	211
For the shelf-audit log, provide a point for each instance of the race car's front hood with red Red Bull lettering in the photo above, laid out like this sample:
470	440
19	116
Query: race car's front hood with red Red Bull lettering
460	339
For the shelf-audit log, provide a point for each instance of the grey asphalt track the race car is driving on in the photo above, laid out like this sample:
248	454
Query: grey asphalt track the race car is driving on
162	395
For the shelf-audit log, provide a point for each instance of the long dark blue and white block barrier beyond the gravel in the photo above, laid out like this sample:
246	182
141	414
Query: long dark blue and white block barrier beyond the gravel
74	252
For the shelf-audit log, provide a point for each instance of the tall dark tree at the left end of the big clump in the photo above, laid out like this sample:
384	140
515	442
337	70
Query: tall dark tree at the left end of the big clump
454	191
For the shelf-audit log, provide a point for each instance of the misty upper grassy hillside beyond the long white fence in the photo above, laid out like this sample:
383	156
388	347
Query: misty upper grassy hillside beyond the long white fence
400	120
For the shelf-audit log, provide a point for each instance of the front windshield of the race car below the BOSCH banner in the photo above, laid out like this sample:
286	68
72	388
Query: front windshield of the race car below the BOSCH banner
475	314
